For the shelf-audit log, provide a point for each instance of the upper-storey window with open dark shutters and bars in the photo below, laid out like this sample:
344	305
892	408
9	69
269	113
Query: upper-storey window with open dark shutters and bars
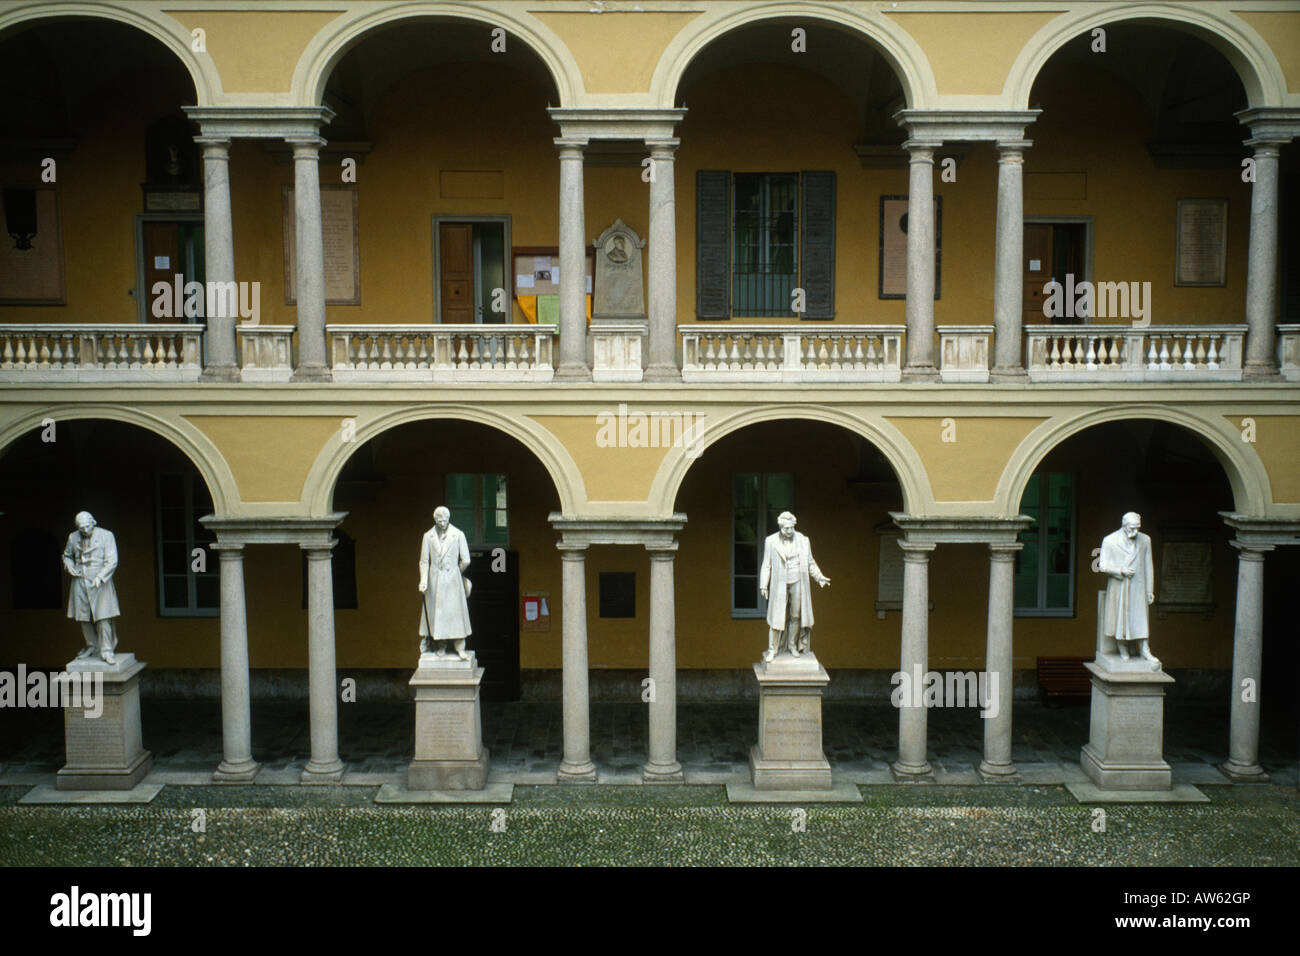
760	237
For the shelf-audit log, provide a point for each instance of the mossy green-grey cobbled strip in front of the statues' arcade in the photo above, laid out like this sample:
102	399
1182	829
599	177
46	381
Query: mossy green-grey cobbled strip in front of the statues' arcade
681	827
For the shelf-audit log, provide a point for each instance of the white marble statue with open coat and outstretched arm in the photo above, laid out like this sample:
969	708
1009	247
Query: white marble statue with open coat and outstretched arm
785	583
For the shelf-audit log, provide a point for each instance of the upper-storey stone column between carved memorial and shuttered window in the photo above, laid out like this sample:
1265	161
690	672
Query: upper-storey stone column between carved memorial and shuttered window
662	293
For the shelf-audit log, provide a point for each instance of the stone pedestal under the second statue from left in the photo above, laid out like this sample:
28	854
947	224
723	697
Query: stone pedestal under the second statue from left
449	742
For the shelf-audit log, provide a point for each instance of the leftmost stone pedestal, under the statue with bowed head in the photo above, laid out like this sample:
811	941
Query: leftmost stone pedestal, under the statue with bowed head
106	752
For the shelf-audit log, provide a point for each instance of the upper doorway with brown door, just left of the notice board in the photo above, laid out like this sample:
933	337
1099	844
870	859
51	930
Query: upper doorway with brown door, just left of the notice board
470	269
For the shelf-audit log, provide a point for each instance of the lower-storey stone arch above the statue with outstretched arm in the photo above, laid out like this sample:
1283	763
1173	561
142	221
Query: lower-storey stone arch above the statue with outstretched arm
917	496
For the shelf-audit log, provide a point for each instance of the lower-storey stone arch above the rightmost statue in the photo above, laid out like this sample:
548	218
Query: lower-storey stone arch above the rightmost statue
1245	474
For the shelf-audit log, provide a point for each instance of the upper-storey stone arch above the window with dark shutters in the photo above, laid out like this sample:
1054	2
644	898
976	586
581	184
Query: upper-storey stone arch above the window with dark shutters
903	53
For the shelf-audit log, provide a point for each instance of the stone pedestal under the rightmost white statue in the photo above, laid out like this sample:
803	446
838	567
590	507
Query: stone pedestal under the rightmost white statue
1125	750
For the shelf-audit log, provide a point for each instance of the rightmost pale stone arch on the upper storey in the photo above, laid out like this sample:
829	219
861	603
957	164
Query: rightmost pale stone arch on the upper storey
1253	59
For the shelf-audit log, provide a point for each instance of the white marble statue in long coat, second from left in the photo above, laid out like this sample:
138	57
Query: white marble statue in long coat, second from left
445	611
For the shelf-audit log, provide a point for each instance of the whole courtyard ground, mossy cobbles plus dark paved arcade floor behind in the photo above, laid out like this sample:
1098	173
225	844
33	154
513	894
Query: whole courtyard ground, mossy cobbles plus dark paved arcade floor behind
944	824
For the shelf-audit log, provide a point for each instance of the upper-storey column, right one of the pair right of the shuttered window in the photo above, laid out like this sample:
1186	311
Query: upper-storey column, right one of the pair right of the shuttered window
1008	263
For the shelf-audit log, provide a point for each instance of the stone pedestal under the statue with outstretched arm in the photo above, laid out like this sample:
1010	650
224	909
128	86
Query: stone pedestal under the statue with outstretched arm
788	755
